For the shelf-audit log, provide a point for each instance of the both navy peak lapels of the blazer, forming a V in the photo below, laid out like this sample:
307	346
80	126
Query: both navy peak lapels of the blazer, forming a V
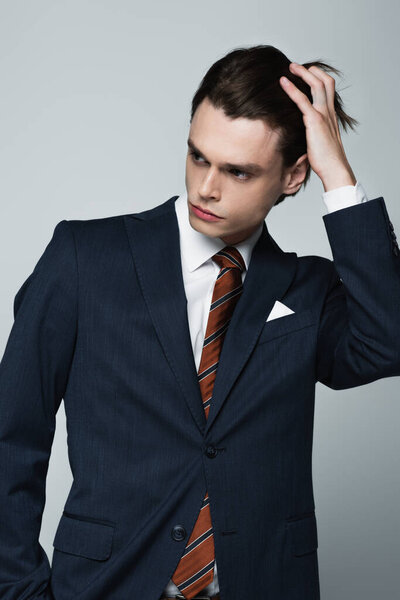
154	241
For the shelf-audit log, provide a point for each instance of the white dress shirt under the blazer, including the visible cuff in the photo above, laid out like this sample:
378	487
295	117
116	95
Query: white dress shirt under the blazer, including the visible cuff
200	272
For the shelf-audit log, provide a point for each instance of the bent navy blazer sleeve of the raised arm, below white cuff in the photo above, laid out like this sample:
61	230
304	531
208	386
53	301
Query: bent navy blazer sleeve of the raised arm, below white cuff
359	329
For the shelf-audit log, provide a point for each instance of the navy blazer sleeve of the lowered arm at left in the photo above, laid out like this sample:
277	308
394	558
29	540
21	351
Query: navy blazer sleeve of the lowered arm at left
33	377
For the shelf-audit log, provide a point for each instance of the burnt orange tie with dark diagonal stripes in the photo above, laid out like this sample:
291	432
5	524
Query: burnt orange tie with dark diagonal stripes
195	569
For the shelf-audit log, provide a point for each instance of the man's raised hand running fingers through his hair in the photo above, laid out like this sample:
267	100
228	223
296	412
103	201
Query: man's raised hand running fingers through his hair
325	150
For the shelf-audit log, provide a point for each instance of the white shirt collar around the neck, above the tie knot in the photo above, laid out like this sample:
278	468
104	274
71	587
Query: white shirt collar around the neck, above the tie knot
197	248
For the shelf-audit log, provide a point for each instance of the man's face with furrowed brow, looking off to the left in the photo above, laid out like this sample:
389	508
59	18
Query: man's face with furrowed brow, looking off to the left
220	179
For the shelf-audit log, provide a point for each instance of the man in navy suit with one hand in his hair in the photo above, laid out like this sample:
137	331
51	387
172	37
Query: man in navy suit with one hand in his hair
188	373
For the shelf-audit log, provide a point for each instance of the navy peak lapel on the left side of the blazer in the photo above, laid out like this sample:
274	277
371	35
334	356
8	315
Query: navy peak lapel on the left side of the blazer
154	241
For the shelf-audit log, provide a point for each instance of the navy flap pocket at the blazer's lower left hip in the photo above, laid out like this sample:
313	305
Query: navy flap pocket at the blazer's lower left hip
82	537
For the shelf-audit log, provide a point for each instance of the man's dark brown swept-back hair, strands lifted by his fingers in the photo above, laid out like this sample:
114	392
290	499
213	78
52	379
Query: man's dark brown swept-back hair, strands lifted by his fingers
245	83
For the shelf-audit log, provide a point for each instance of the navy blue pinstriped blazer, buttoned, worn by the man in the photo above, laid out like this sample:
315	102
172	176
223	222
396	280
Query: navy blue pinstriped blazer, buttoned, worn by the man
101	322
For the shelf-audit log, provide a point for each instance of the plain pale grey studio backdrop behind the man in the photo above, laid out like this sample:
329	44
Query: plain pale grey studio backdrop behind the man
95	100
